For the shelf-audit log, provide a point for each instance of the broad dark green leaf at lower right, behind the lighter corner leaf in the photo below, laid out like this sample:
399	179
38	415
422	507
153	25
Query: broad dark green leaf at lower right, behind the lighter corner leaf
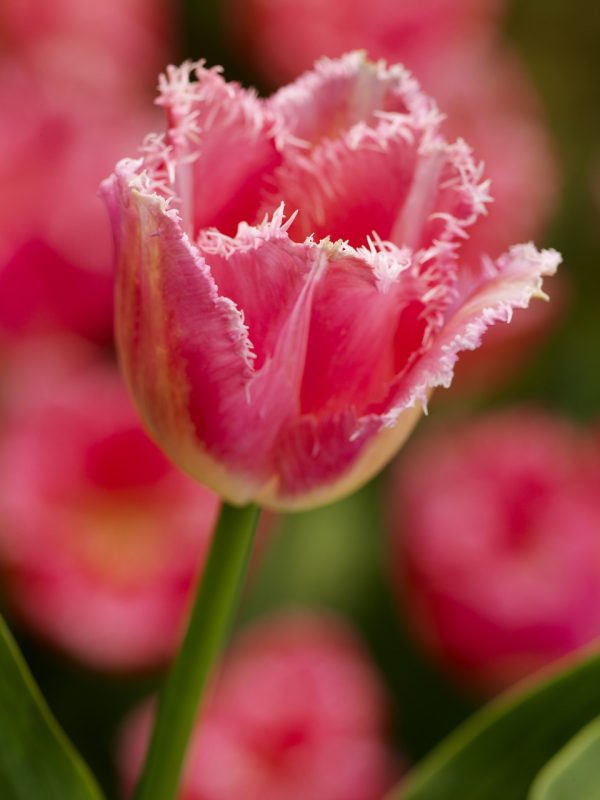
498	752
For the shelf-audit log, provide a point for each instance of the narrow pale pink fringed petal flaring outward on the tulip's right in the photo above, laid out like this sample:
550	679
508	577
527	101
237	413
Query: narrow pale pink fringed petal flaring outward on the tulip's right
492	296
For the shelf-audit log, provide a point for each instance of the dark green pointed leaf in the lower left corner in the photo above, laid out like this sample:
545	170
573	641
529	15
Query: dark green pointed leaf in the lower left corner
37	762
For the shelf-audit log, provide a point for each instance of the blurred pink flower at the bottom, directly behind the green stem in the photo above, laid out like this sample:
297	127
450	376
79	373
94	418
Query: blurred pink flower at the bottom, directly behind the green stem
298	712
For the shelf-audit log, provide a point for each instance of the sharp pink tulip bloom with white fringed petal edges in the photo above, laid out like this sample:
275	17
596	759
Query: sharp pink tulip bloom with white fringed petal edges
284	362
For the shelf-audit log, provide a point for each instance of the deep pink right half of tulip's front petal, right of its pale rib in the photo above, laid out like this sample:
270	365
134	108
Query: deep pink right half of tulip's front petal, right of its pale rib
373	313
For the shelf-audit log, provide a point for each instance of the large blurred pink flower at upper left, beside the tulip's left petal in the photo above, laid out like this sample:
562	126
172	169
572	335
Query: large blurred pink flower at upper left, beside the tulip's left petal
55	243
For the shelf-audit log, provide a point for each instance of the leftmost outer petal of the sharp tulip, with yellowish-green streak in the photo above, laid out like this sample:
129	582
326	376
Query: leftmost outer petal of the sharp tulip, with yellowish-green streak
175	333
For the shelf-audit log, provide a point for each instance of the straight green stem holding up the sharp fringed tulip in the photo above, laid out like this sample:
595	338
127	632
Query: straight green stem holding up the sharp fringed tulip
209	623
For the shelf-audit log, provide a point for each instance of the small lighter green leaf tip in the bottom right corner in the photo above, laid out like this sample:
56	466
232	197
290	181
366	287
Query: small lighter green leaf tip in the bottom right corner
575	771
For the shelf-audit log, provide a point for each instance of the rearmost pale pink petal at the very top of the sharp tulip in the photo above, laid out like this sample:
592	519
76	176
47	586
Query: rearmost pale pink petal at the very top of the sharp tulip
338	94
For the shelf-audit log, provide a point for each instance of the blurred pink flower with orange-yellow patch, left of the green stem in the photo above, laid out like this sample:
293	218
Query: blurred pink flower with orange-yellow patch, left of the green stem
100	537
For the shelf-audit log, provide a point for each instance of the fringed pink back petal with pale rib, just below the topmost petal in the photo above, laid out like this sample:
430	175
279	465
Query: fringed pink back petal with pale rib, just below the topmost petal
403	182
